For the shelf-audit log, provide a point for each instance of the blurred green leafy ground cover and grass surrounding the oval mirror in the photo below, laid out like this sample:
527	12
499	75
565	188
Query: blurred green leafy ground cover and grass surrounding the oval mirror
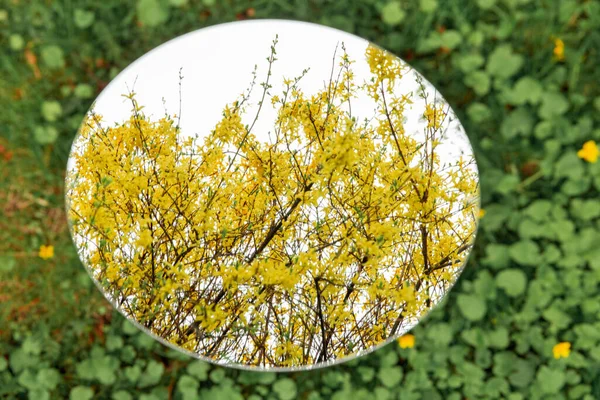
531	282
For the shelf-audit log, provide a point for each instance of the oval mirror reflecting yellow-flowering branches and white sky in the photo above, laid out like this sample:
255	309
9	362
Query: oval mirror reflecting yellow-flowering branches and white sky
272	194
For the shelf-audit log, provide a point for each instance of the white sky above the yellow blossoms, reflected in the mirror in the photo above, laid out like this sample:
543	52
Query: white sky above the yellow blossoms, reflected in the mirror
217	64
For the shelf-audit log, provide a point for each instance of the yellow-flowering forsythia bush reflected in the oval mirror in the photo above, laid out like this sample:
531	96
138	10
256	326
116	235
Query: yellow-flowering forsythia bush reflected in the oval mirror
323	241
